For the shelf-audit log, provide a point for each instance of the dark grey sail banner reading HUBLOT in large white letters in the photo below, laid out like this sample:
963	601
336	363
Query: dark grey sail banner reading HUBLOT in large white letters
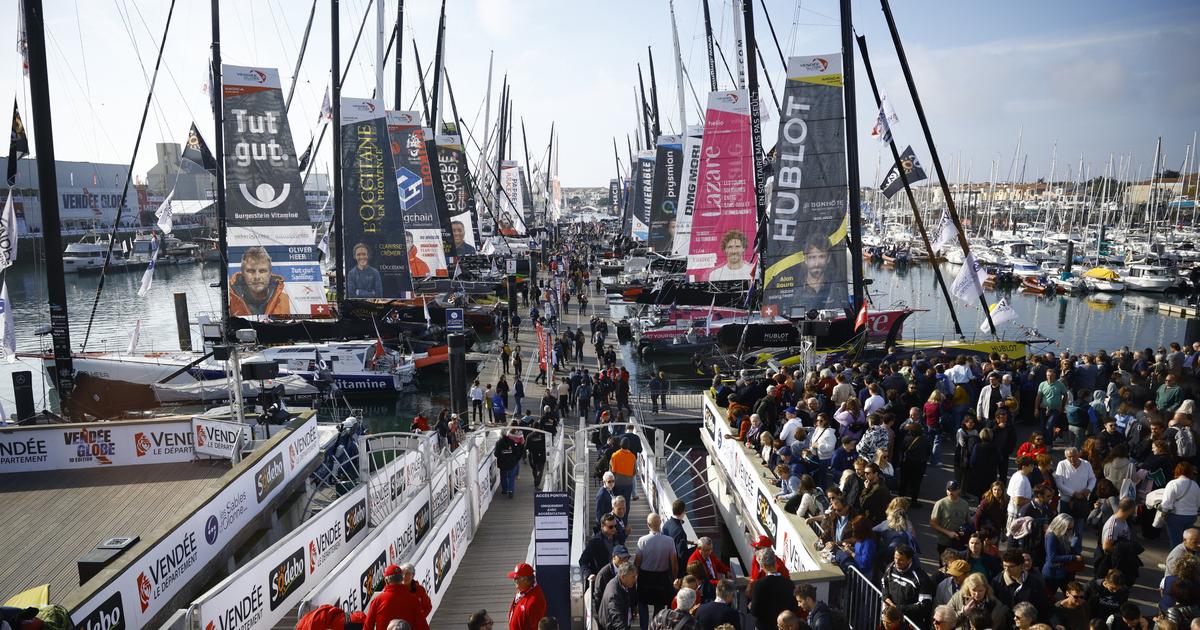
806	250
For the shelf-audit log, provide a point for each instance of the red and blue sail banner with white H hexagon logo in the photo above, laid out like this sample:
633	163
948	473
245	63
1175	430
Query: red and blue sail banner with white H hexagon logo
423	244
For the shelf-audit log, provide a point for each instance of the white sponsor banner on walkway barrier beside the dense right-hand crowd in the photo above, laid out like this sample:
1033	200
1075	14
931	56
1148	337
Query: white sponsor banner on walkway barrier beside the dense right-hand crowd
754	493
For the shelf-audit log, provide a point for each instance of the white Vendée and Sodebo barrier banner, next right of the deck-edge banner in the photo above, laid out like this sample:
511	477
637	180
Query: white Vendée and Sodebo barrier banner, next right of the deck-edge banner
262	592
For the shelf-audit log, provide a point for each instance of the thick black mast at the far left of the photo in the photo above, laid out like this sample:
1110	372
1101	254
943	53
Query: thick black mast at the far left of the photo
49	194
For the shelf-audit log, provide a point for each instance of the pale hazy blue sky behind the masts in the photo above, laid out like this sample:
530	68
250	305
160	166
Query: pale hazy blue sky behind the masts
1082	80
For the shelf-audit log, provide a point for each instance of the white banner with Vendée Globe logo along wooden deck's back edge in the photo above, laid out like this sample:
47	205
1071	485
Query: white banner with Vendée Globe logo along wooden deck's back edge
94	446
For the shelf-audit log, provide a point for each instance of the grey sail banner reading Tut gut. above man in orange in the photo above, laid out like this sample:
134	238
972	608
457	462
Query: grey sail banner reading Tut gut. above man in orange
274	268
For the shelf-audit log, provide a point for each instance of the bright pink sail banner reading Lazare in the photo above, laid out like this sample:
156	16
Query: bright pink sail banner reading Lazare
724	224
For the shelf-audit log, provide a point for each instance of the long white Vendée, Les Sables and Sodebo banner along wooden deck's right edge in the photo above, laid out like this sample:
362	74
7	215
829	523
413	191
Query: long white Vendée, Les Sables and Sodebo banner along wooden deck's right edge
147	585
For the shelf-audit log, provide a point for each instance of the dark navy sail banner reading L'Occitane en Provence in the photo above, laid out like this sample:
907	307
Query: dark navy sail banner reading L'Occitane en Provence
377	254
